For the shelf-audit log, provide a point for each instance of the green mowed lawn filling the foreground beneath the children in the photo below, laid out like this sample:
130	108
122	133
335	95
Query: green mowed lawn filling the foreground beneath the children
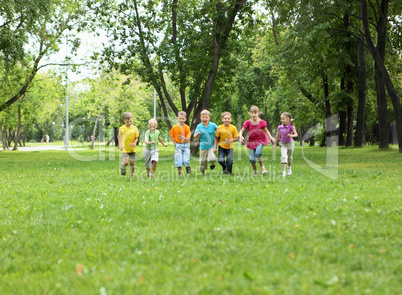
71	226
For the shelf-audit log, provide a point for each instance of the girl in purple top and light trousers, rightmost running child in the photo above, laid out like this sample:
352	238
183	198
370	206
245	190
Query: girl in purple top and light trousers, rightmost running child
286	132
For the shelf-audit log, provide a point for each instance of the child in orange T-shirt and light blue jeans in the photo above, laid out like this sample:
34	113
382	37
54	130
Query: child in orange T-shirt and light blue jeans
181	134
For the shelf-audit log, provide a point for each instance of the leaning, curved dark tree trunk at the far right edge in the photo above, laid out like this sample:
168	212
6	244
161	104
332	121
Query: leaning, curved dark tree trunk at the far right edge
383	10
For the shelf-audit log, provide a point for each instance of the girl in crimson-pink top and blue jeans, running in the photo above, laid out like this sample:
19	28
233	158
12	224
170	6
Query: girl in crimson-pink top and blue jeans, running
257	138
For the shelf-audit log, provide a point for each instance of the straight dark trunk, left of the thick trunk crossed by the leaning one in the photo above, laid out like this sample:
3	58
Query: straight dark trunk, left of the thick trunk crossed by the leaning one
361	104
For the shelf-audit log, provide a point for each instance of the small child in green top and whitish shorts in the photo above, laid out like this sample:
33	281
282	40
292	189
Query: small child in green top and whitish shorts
152	136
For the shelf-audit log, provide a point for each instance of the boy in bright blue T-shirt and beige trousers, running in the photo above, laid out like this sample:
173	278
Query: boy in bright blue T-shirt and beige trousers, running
207	131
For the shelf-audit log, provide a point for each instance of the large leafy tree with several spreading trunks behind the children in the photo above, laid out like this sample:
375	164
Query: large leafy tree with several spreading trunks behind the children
188	42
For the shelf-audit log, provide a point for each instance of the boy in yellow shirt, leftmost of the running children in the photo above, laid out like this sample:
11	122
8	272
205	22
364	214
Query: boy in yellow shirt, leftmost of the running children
128	137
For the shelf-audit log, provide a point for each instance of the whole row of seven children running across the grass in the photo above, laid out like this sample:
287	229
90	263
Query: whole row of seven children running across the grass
213	139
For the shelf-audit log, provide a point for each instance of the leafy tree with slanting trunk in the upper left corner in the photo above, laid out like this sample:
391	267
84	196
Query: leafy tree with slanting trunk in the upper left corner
39	22
